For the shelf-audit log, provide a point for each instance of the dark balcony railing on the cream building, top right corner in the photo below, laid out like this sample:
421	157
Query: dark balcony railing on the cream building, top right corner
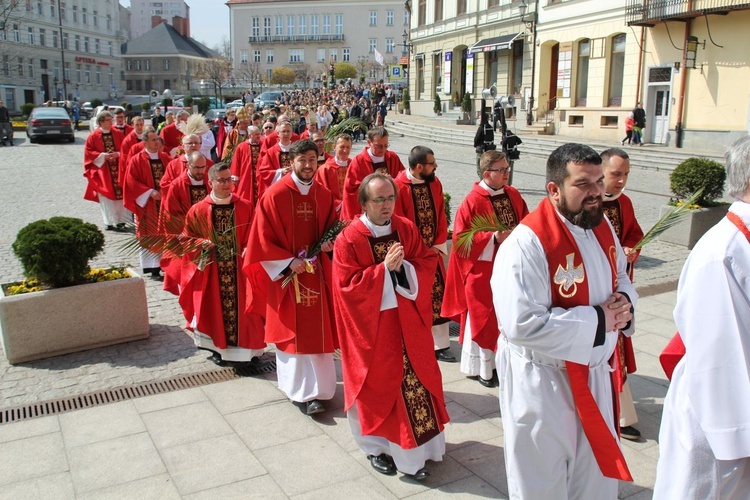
650	12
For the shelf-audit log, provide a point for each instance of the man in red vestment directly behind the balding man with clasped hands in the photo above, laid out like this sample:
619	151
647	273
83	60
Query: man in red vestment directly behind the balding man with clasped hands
374	158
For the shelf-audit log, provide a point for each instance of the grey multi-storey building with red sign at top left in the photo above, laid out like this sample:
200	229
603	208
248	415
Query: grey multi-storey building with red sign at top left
60	51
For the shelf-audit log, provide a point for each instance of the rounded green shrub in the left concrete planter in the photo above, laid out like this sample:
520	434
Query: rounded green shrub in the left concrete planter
57	251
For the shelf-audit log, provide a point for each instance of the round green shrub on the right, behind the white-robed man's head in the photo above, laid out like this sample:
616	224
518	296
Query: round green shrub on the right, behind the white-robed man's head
696	173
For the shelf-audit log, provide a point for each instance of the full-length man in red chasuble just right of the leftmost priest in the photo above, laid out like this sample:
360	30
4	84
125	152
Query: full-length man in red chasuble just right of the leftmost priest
141	194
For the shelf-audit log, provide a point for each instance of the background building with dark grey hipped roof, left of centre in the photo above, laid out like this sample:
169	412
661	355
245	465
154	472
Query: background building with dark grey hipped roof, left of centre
161	59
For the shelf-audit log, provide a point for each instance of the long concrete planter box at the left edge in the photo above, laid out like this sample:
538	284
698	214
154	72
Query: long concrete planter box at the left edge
64	320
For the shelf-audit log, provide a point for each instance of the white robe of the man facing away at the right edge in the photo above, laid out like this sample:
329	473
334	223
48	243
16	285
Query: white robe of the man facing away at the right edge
704	441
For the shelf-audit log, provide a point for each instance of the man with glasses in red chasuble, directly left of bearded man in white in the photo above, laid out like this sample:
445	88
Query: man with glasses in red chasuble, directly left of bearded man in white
468	297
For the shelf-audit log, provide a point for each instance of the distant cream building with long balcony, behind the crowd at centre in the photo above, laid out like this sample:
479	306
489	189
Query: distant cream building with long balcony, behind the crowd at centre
308	34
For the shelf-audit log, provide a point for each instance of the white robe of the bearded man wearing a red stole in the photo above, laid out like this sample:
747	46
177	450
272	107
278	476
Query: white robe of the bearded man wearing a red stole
547	454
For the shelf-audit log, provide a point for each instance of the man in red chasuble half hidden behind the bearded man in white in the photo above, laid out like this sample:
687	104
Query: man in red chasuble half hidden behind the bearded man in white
619	210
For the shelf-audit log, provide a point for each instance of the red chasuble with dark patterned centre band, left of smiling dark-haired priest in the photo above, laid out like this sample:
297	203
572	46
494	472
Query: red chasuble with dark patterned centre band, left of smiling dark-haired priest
216	296
